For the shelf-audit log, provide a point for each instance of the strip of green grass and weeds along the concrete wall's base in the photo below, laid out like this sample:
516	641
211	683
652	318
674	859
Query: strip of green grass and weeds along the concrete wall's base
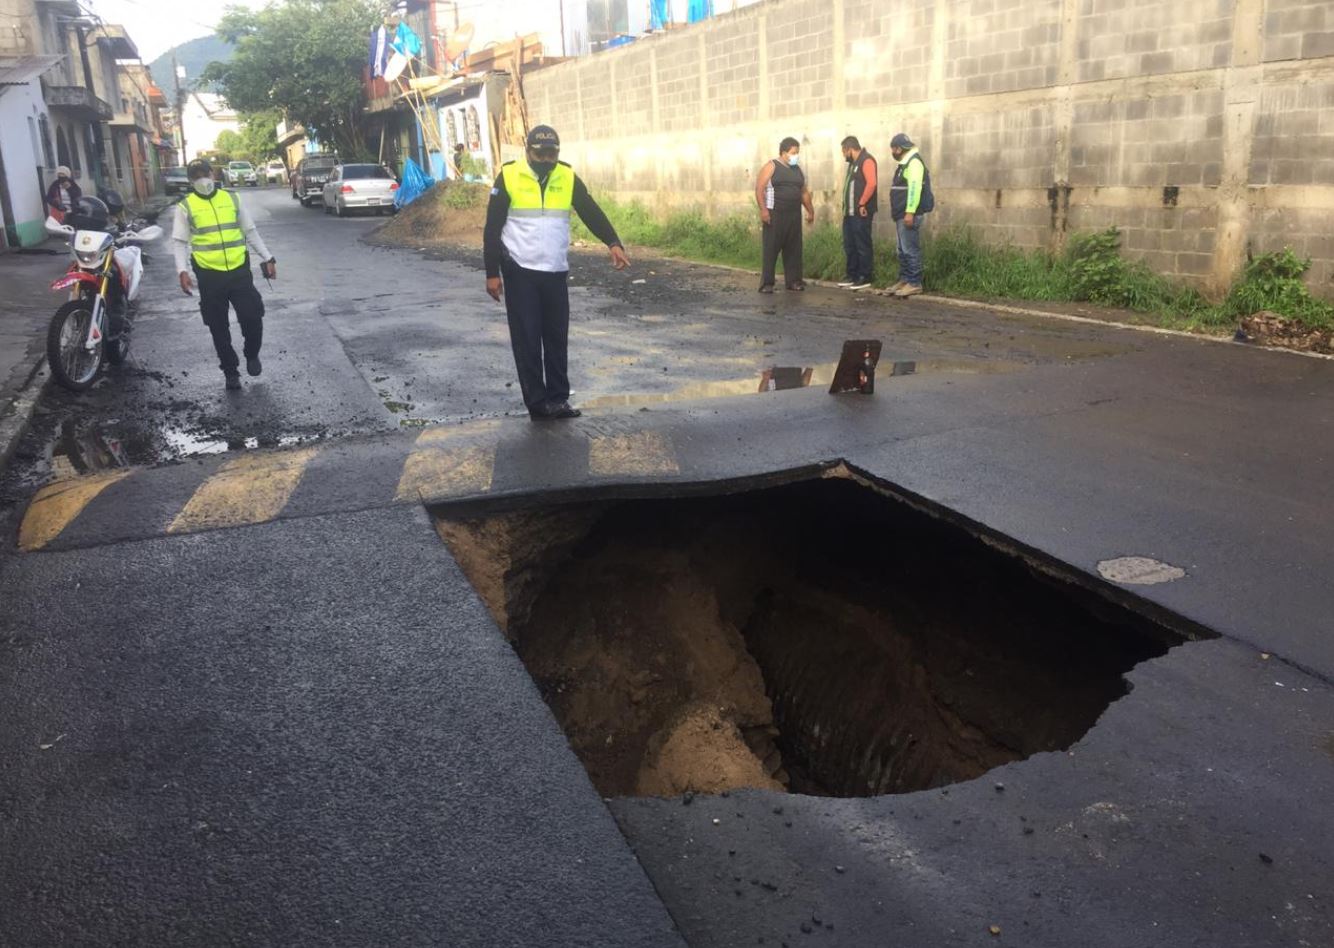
960	263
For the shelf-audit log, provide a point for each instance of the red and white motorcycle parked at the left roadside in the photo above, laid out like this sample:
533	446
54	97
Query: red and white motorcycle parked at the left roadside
103	283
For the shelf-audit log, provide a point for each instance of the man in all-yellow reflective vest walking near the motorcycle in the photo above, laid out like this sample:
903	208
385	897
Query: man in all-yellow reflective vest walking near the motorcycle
210	233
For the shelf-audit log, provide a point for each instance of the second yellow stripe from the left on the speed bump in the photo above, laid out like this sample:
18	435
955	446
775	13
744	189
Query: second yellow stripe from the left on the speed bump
249	490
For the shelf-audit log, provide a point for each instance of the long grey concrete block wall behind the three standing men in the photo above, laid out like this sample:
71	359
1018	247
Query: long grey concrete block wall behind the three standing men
1201	129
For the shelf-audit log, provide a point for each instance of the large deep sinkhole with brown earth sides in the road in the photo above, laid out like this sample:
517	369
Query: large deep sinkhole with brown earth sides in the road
829	635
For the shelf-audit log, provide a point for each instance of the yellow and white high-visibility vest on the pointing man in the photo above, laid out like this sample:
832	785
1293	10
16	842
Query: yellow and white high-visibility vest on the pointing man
537	230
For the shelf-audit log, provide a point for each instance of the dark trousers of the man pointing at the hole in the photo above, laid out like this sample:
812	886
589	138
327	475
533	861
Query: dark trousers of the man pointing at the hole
538	306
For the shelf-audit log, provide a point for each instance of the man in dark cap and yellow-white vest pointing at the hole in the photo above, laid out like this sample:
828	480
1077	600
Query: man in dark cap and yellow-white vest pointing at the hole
528	241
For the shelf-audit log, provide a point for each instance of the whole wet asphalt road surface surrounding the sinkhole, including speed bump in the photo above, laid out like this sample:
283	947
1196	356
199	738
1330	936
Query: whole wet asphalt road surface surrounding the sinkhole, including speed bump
251	699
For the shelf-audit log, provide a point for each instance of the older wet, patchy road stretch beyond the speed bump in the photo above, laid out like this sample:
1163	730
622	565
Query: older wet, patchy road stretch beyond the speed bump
362	339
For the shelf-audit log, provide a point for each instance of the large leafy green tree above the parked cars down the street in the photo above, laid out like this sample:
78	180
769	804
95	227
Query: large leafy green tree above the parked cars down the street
302	58
